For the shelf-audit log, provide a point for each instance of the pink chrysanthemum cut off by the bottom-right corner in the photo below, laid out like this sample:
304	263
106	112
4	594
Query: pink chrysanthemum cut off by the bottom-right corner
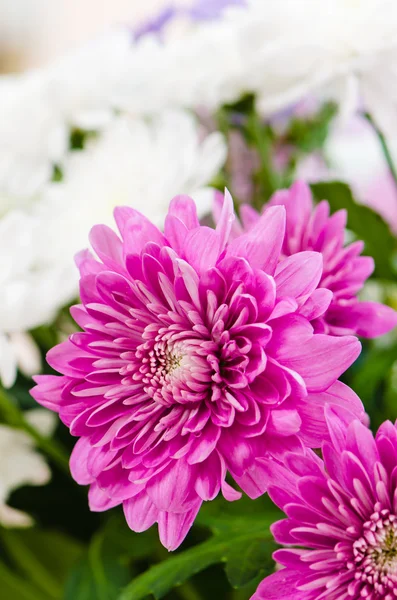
343	512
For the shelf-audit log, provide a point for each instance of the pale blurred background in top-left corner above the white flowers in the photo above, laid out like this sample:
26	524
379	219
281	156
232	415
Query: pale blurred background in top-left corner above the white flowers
33	32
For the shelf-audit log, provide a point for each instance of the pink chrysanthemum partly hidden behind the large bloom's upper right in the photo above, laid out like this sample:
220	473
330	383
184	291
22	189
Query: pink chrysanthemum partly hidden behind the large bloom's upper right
344	270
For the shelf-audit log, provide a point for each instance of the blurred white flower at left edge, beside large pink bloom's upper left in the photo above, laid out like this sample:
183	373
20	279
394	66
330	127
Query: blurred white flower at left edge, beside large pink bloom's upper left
29	295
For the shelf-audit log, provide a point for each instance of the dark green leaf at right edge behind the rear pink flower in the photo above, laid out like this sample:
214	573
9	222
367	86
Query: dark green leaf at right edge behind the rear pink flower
364	222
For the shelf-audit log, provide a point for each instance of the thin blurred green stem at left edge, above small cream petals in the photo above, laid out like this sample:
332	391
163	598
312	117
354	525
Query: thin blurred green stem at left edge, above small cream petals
13	416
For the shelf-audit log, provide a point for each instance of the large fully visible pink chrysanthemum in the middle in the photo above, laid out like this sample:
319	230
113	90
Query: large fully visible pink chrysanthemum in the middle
197	356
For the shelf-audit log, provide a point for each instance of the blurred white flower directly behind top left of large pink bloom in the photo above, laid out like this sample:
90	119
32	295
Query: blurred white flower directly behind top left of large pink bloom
138	162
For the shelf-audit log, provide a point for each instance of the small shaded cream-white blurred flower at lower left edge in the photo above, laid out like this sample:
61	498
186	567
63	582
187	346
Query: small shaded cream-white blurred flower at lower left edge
21	465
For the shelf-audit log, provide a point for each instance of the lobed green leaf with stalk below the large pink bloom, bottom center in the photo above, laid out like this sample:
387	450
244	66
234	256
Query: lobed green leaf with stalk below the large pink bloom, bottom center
241	541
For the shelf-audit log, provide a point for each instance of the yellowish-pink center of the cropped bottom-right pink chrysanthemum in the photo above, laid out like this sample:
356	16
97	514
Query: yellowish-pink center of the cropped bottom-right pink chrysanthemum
375	555
